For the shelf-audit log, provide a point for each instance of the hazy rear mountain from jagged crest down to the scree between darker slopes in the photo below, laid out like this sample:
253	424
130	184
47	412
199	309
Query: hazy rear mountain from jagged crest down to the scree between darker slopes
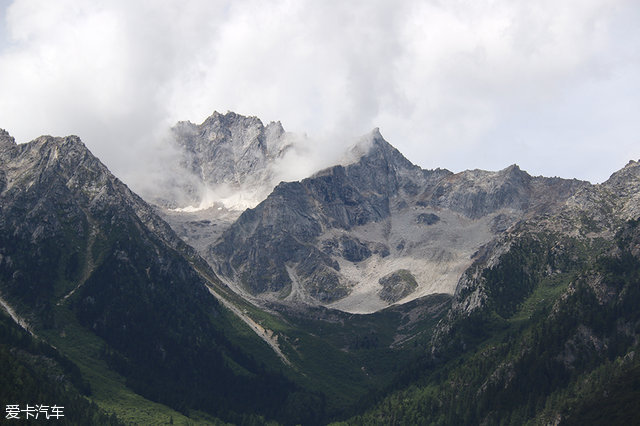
225	164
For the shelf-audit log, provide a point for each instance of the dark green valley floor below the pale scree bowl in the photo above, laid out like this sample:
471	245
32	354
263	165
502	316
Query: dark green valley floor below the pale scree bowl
345	356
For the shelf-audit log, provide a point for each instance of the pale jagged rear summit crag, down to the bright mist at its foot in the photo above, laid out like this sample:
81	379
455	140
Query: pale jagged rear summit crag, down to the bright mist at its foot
230	158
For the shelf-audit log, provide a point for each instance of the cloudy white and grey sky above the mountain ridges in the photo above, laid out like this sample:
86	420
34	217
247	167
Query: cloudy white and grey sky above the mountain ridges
553	86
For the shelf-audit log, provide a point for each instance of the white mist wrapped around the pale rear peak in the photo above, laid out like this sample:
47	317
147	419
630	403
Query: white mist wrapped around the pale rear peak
179	188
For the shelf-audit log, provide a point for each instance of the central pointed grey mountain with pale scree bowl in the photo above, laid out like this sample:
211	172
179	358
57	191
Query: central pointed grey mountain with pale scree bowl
377	230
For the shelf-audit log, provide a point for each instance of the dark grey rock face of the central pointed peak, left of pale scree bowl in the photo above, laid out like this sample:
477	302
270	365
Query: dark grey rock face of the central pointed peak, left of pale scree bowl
284	228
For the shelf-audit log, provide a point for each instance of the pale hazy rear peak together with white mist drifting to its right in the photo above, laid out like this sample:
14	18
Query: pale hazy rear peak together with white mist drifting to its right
232	160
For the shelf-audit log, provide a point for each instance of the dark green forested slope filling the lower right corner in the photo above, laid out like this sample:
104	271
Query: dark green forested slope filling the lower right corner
563	348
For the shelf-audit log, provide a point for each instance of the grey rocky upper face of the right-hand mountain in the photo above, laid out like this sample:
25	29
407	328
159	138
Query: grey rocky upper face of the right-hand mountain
590	215
